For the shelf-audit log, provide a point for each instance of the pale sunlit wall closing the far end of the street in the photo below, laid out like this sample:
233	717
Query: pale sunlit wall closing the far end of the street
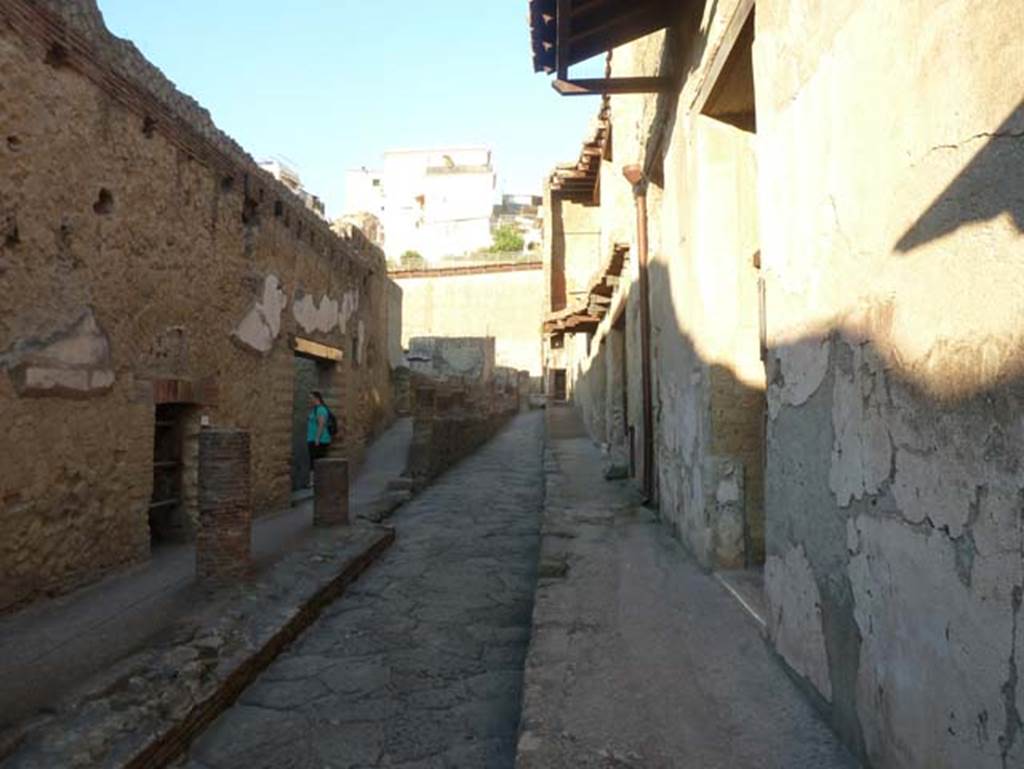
504	303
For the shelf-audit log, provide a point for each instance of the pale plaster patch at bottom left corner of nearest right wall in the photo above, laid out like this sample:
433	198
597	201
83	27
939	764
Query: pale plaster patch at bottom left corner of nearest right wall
795	618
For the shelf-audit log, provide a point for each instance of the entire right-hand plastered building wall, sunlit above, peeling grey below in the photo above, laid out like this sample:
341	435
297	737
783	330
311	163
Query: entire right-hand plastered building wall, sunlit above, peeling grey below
876	208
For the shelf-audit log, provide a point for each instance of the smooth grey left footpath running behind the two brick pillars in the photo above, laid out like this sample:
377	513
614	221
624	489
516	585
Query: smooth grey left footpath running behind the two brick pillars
51	648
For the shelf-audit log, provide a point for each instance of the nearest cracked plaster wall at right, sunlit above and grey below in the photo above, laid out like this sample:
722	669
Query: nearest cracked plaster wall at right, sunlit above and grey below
895	267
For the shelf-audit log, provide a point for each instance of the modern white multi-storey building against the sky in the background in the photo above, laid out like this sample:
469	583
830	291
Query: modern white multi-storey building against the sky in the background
435	202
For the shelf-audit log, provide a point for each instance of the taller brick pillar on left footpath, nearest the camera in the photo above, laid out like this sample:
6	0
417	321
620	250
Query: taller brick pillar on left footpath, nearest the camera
223	544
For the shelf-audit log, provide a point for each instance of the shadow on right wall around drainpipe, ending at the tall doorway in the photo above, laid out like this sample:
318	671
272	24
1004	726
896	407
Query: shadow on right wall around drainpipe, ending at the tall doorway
709	433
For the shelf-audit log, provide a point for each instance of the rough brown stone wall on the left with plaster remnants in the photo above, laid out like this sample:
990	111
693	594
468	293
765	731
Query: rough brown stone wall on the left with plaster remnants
146	260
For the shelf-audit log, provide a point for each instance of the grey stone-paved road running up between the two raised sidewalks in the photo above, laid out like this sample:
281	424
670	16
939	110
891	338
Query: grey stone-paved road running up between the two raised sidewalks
420	664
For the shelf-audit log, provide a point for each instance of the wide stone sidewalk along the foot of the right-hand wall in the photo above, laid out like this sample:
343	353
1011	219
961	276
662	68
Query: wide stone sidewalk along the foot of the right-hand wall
638	658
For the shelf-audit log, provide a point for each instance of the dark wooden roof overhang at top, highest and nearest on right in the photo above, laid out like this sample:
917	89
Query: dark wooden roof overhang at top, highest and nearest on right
568	32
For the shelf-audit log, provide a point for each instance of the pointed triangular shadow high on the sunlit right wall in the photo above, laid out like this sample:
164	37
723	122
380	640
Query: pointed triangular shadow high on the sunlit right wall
991	185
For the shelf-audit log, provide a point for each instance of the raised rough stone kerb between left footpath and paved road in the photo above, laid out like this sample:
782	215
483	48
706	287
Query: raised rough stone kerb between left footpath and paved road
146	710
